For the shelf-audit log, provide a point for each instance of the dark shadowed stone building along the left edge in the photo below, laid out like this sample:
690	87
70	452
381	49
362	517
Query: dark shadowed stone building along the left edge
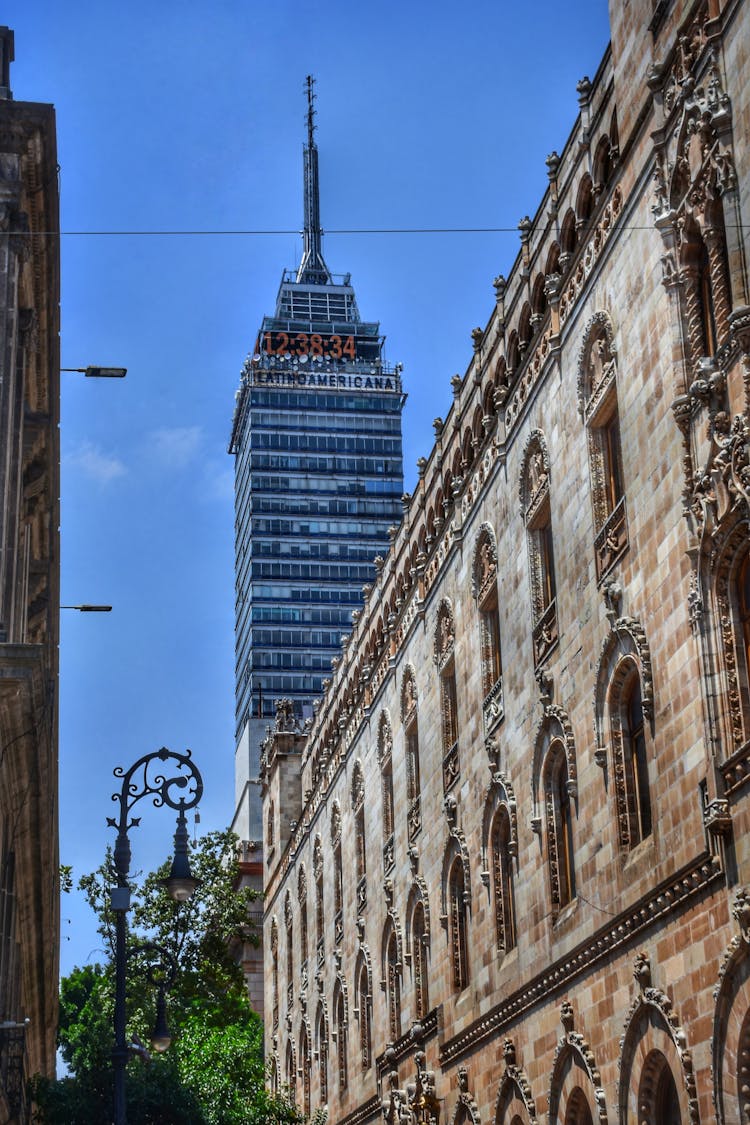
30	591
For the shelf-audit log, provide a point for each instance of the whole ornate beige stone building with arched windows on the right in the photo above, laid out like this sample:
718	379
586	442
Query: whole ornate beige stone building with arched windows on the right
508	875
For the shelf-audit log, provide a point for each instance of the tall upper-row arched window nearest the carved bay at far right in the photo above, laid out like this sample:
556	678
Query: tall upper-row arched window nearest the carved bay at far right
598	394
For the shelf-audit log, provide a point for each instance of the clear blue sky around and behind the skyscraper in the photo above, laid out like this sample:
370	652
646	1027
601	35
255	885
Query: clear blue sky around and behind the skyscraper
191	118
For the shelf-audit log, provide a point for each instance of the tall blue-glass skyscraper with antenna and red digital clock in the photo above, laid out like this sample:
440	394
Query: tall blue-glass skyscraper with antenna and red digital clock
318	442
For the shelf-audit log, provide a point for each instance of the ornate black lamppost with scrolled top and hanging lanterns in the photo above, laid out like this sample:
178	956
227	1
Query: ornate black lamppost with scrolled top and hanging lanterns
148	779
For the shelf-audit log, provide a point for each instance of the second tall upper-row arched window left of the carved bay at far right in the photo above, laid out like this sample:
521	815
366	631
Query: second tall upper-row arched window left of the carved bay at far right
537	514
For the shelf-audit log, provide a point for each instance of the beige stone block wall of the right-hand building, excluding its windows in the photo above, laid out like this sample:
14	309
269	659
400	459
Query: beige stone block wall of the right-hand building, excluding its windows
619	983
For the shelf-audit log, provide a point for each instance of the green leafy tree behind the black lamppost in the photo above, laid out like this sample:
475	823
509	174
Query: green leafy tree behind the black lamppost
214	1073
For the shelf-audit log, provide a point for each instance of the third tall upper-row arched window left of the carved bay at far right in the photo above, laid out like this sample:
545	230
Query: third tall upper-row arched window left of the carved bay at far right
485	592
